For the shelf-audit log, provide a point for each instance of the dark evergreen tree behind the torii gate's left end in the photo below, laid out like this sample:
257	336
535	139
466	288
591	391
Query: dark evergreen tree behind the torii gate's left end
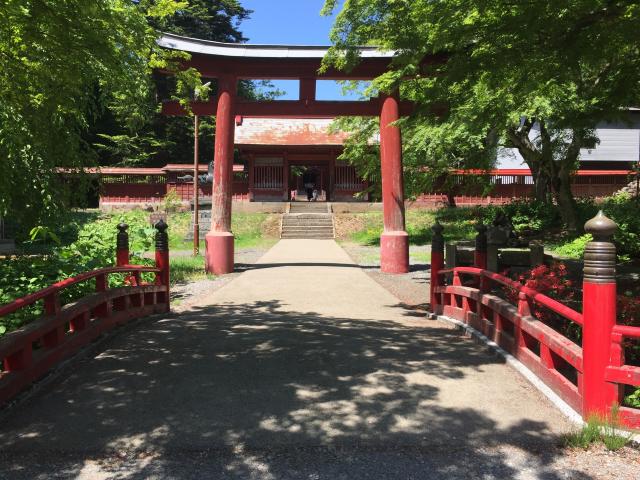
152	139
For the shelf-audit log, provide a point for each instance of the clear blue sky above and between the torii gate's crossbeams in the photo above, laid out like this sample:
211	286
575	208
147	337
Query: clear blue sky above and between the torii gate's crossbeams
295	22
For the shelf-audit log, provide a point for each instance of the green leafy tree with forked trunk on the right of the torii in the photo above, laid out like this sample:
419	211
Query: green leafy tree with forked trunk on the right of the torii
537	76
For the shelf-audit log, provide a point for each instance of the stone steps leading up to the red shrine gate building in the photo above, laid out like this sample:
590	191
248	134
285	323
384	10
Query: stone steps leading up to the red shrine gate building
308	220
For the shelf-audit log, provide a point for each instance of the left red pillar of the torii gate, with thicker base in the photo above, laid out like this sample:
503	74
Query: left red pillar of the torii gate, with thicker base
219	240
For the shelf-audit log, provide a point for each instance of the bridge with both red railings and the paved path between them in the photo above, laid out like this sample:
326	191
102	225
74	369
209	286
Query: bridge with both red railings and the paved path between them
265	377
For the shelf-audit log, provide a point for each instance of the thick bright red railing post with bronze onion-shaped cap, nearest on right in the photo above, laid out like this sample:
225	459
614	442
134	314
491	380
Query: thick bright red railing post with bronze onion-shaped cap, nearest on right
599	317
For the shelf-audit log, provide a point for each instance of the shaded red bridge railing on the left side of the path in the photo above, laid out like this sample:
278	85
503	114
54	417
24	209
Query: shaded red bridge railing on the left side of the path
29	352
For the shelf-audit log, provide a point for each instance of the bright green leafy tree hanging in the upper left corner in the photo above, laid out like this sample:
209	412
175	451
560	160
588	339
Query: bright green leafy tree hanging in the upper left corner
54	54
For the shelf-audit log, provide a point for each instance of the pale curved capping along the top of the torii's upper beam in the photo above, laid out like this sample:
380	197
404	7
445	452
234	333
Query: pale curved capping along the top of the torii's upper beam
247	50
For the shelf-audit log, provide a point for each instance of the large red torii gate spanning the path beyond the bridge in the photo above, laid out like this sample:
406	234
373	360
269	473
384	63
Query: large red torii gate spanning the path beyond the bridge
229	63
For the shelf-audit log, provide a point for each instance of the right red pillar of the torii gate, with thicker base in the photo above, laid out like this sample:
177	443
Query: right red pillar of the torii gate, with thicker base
394	242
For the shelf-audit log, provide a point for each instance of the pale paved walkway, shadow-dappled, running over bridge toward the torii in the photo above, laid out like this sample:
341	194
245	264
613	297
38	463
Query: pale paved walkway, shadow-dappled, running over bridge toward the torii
301	367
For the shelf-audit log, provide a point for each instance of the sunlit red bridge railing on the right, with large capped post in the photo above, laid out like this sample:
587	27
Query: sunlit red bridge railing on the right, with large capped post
589	377
